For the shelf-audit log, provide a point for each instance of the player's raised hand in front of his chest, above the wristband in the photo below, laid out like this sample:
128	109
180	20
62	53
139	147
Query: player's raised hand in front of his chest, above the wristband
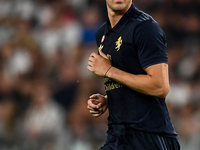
99	64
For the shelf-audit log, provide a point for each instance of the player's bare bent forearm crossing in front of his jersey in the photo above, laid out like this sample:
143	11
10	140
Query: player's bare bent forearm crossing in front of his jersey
146	84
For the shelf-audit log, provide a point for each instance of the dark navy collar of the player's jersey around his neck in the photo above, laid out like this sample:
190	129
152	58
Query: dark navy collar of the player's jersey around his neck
122	22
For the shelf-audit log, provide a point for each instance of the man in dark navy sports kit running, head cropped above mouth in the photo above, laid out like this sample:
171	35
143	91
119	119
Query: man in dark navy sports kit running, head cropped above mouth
133	61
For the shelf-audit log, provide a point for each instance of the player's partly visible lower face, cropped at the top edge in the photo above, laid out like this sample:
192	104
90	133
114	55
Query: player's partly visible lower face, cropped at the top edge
120	6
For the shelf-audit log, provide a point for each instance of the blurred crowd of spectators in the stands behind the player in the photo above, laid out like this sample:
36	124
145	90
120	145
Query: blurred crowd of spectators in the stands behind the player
45	84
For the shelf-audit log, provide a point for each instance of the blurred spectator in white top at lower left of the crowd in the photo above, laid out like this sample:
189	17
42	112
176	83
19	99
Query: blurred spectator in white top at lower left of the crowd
44	120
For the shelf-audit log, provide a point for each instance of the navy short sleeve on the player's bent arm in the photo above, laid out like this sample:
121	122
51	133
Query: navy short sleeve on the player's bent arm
150	41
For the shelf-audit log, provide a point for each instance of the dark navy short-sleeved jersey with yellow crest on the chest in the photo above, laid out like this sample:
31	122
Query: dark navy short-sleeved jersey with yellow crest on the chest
135	43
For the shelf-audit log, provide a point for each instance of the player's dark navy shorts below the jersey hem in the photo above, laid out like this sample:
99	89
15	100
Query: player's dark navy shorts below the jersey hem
138	140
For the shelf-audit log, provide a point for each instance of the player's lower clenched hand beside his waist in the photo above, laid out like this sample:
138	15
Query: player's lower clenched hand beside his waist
97	104
